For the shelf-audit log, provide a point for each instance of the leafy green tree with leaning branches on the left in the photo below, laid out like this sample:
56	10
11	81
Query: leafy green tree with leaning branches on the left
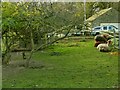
21	22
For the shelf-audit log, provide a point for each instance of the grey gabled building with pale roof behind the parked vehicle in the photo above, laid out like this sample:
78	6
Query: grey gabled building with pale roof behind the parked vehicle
107	16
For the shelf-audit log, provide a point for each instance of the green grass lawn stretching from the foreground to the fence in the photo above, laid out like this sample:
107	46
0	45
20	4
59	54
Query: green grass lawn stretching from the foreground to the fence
67	64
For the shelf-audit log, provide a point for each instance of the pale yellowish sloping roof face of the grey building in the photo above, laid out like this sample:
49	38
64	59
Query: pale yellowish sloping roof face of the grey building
93	17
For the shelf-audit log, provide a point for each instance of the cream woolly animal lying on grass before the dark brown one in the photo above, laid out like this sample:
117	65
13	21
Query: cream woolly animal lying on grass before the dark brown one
104	47
